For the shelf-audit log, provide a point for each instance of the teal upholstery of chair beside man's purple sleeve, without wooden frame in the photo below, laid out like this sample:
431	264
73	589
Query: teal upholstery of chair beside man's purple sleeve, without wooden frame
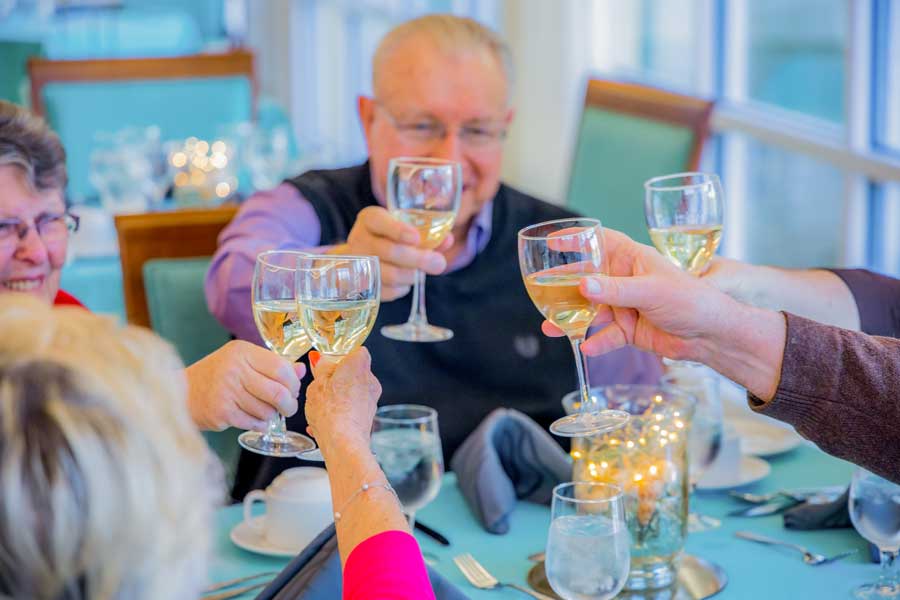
178	313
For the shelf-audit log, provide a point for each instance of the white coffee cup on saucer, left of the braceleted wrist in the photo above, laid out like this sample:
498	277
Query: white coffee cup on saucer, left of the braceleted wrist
298	508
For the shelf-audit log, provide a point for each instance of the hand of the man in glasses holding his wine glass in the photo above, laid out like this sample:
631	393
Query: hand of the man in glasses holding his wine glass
396	244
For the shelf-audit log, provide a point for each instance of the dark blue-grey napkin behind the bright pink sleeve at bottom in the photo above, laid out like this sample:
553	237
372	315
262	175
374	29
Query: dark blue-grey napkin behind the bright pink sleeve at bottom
315	574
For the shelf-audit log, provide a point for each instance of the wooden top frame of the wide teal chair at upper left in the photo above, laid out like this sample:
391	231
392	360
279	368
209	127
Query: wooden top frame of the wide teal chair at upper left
43	71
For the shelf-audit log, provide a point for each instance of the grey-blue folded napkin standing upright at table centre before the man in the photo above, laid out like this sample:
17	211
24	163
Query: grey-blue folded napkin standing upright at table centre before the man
508	458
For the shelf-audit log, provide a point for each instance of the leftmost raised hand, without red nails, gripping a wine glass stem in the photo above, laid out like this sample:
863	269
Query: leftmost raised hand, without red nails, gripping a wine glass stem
242	385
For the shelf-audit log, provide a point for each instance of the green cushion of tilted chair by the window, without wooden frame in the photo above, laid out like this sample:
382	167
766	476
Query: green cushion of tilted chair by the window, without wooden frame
615	154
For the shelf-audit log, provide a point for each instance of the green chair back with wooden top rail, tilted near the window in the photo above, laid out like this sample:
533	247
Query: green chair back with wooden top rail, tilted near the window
628	134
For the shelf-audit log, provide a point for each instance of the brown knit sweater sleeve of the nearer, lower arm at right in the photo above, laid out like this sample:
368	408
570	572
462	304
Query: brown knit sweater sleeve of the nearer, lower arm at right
841	389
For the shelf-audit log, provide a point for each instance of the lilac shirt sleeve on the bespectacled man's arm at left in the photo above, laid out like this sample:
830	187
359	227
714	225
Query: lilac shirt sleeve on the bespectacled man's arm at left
277	219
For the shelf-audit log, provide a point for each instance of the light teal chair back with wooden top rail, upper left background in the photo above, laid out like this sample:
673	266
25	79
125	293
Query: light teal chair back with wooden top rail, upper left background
184	96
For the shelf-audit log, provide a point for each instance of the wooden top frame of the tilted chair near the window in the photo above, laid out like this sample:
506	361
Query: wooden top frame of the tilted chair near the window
656	105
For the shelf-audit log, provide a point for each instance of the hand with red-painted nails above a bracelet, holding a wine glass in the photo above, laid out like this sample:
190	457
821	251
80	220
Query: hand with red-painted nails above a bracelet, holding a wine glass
341	400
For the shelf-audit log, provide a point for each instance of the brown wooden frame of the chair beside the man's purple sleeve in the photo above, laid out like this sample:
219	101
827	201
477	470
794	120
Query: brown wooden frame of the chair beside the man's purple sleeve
174	234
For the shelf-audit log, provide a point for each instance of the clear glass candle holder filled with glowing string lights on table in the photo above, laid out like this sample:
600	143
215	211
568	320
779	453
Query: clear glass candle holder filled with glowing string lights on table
647	458
